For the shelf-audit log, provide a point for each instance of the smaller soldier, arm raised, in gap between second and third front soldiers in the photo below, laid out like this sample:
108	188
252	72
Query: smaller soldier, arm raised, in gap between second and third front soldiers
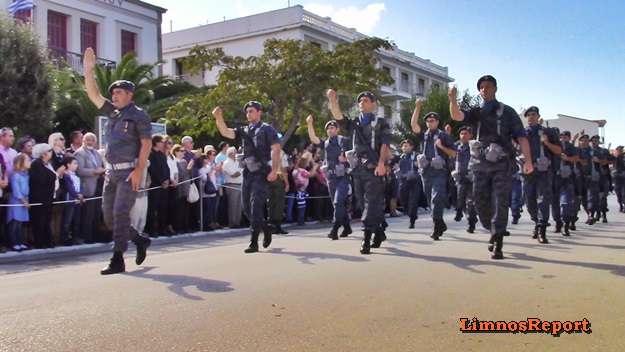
335	169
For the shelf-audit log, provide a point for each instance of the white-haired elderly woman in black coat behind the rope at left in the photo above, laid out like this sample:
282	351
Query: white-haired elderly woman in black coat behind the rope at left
43	183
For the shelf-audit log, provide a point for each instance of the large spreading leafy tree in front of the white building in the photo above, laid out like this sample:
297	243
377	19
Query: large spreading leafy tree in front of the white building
290	78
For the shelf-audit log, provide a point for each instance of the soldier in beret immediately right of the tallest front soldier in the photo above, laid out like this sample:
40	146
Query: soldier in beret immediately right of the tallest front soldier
538	186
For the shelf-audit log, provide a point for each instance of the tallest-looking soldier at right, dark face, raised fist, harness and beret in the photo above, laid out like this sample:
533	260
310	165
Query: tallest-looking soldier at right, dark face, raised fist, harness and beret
495	125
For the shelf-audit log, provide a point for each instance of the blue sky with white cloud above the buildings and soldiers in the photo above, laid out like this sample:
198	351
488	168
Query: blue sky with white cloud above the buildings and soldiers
562	56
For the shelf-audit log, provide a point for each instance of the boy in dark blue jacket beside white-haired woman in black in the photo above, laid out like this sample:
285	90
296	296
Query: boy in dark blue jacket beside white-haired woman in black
72	191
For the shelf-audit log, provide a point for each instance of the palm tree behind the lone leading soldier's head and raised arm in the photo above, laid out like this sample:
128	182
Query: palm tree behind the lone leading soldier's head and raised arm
77	111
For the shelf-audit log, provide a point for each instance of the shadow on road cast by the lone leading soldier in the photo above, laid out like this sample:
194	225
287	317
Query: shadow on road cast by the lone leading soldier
178	283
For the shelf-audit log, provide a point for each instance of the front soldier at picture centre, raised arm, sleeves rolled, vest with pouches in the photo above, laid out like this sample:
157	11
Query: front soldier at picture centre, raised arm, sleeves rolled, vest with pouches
371	137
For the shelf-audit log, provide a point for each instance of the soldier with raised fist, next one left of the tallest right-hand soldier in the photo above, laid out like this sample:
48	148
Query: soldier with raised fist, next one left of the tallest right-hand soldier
436	148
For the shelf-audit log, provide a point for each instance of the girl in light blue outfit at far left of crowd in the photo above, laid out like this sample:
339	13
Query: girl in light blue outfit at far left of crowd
20	190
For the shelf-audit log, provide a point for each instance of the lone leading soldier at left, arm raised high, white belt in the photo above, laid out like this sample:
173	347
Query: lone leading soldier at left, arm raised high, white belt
129	140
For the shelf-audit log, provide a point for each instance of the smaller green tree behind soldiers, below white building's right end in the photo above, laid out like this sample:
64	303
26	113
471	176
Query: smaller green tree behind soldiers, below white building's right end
436	100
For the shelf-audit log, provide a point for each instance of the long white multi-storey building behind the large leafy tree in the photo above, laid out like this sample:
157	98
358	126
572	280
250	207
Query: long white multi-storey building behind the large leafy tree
245	37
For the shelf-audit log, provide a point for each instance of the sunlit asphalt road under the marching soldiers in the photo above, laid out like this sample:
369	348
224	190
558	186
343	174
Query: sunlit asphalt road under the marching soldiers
307	293
